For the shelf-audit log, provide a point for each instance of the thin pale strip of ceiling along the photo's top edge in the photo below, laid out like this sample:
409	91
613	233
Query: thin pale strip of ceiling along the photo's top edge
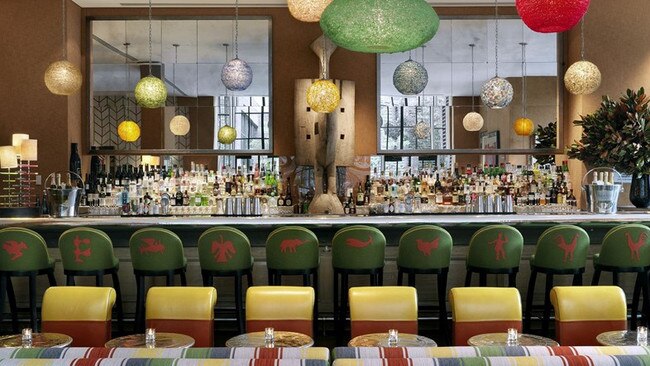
248	3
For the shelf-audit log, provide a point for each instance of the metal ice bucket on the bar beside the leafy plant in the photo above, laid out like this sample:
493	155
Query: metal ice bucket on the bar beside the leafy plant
602	197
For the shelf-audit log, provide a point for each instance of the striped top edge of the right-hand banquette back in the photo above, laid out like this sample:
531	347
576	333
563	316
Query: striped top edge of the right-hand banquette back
459	352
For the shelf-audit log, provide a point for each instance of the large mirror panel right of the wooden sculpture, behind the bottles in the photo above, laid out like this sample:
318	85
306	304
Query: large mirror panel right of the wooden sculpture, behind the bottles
433	119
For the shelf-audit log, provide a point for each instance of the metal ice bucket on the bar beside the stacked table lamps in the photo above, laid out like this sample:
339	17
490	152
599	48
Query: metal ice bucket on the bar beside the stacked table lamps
63	200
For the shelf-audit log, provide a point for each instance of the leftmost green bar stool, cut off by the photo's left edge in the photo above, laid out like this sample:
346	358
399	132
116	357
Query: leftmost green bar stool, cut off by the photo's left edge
24	254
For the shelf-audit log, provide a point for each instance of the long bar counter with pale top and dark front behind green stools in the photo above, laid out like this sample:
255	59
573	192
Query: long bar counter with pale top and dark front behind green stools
460	226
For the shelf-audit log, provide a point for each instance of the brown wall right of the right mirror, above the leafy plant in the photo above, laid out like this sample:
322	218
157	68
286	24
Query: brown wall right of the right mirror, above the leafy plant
616	41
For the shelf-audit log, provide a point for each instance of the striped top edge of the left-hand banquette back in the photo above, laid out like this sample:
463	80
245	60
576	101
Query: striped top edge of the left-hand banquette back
315	353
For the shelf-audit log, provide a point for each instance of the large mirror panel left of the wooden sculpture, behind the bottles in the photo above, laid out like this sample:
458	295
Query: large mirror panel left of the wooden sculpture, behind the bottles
189	56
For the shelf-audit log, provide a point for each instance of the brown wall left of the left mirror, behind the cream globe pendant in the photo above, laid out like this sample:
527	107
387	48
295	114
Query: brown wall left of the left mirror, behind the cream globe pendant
31	40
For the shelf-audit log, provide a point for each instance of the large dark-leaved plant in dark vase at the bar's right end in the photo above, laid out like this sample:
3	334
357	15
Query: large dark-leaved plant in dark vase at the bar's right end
617	135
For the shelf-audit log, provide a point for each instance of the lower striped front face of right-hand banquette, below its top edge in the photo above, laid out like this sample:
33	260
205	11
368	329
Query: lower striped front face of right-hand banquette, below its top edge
601	360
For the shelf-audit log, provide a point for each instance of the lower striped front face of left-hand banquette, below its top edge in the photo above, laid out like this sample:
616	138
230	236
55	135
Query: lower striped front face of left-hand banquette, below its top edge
159	362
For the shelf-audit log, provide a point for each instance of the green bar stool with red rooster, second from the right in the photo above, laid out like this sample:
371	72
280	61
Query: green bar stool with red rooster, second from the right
560	250
